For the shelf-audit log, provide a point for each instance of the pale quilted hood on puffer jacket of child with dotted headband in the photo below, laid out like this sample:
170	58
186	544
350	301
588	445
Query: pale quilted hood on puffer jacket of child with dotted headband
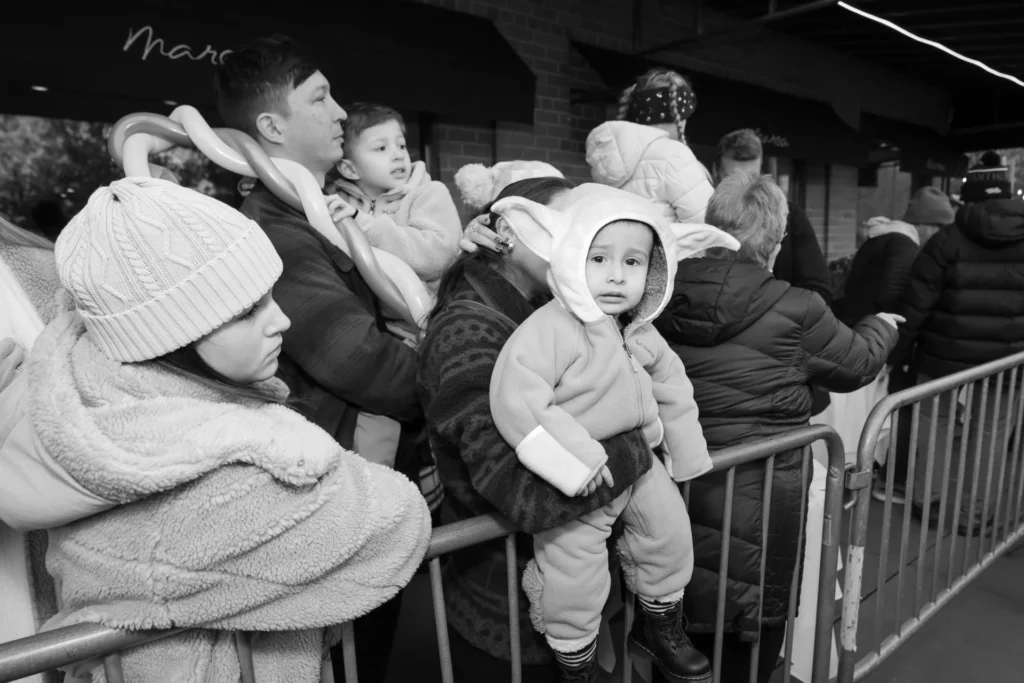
617	148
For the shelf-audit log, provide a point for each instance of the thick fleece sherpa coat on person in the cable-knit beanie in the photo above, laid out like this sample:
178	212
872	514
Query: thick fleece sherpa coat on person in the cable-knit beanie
231	517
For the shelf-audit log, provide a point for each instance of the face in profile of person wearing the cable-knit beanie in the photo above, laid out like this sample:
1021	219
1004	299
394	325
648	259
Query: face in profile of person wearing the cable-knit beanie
246	349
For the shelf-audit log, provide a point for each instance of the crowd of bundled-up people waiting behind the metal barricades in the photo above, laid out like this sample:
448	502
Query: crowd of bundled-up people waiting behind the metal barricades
221	429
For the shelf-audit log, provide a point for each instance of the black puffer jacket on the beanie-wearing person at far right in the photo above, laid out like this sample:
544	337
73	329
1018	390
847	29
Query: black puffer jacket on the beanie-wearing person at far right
965	303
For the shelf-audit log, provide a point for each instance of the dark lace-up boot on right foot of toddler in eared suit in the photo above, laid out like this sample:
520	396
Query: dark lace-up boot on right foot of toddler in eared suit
663	639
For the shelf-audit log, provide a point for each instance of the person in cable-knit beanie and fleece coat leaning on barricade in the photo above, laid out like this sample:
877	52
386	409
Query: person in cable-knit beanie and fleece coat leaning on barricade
190	495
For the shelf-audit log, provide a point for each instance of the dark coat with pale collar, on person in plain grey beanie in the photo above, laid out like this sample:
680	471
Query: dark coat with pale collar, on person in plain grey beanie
880	271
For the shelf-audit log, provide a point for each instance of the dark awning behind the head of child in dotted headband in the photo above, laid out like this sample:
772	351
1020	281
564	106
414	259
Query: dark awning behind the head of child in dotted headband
789	126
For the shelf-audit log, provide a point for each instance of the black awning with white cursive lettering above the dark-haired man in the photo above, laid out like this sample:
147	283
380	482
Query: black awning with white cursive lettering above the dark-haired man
102	62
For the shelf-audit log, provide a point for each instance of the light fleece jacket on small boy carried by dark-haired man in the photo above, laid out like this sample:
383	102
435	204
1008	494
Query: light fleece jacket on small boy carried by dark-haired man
418	223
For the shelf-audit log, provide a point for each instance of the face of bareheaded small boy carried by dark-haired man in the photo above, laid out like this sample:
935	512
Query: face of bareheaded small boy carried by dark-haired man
378	161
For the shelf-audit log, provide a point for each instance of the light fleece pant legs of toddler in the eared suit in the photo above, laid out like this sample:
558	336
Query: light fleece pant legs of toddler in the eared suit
573	560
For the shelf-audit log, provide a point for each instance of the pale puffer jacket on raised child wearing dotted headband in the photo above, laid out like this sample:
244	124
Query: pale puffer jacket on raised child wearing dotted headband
646	161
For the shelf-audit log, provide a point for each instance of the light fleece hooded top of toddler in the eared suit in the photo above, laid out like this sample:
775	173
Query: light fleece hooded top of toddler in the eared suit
569	376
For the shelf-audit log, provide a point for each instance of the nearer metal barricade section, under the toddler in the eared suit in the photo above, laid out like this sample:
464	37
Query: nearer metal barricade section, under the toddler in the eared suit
83	643
